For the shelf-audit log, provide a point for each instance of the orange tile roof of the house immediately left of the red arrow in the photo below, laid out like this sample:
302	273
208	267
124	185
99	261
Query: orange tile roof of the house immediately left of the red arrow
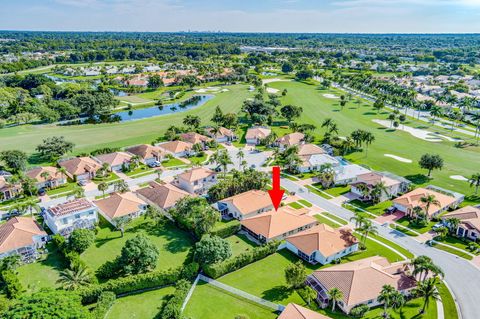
250	201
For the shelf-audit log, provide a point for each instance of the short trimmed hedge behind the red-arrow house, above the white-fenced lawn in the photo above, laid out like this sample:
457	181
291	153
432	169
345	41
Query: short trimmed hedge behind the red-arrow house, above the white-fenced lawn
232	264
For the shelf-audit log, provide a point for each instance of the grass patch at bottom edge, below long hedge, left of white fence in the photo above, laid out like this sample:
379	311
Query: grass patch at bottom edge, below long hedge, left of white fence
145	305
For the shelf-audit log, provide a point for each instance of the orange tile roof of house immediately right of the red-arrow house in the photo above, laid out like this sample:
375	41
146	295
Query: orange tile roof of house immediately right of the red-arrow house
323	238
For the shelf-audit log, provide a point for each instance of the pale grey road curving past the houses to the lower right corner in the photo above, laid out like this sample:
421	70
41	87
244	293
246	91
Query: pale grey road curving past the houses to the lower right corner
462	276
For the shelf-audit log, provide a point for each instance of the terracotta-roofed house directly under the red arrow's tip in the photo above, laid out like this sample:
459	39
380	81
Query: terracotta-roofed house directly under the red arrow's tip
278	225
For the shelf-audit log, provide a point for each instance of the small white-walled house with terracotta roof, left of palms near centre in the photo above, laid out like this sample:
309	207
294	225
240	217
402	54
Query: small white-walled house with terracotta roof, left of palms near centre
196	180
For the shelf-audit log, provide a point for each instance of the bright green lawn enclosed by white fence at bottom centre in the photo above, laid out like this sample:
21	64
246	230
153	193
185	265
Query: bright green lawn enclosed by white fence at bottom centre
210	302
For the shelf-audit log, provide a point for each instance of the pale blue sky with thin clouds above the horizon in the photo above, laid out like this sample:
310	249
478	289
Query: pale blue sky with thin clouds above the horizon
367	16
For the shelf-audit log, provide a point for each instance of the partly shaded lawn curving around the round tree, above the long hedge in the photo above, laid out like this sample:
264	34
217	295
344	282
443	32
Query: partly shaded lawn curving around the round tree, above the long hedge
172	243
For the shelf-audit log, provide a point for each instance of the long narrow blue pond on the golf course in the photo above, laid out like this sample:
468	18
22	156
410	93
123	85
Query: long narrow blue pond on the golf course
136	114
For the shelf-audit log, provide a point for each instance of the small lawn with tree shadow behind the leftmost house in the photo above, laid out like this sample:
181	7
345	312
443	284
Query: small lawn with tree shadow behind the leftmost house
44	273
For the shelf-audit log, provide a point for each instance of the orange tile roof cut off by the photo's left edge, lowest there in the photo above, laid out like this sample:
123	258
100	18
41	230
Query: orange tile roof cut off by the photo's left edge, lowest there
18	232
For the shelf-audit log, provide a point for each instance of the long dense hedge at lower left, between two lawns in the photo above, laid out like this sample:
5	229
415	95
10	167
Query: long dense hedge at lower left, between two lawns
132	283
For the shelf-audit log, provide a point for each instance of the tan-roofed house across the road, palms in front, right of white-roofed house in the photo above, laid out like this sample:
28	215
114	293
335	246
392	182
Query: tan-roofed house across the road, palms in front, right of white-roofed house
394	185
